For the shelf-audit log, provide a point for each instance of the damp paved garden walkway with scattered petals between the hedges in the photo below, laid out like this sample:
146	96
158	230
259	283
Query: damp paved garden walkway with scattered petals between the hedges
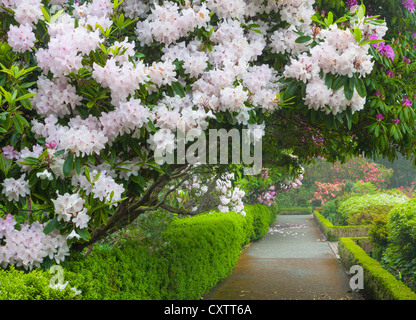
292	262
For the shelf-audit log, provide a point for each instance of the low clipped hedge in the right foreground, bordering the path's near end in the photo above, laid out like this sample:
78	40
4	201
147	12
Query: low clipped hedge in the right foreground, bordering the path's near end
379	284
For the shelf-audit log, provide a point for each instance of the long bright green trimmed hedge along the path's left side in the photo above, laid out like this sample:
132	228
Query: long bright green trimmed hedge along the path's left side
197	253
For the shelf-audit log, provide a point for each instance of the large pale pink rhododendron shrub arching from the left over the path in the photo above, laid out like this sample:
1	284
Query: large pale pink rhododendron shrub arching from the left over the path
117	82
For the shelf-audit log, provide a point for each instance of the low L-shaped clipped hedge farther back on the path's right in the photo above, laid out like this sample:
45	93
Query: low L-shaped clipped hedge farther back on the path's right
333	233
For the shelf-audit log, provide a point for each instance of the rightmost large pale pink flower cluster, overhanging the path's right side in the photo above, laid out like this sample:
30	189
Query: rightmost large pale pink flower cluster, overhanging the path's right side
337	53
